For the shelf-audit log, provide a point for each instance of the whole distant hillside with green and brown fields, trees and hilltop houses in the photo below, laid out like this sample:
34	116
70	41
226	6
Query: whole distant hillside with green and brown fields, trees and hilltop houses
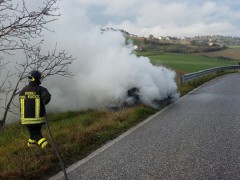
191	54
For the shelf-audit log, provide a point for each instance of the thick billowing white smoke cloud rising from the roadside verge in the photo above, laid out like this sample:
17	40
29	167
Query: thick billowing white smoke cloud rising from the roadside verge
105	68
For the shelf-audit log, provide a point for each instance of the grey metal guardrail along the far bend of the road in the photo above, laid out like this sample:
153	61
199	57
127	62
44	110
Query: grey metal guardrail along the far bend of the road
188	77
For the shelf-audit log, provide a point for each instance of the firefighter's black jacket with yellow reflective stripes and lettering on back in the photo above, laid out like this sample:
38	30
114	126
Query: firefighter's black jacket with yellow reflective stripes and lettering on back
33	99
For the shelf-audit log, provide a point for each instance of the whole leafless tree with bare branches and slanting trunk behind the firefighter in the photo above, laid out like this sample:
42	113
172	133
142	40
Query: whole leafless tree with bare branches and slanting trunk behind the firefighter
19	26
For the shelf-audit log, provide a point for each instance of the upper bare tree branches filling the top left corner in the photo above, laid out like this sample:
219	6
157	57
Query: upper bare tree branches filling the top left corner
18	23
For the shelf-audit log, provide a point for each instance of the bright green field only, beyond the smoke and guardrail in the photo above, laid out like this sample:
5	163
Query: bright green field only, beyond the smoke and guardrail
185	62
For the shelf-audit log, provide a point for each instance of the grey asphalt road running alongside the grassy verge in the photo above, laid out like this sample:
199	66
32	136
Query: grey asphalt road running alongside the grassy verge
198	137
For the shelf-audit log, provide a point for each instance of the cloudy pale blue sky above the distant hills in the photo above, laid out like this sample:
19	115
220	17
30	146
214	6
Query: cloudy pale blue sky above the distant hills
161	17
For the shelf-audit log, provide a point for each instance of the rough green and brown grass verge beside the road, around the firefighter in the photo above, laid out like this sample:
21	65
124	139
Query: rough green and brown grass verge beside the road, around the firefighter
76	135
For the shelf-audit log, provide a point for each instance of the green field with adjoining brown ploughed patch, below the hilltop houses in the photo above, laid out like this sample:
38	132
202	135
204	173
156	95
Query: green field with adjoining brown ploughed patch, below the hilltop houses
193	62
